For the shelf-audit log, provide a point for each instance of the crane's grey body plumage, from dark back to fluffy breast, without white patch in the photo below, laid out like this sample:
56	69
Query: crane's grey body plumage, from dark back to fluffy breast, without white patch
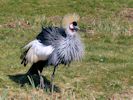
67	48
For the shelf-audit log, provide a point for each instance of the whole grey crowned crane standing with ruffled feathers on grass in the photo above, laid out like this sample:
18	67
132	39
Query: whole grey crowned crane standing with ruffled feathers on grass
54	46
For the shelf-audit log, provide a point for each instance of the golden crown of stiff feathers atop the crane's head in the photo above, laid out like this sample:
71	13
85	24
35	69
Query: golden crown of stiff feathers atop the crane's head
69	18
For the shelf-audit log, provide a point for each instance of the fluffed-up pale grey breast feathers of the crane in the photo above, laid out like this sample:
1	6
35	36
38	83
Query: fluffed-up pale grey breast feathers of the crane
67	50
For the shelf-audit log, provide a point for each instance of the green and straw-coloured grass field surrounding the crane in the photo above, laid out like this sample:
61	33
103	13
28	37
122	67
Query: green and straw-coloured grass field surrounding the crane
106	71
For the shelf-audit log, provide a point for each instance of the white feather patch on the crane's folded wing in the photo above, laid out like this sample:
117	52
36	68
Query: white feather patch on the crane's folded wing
37	51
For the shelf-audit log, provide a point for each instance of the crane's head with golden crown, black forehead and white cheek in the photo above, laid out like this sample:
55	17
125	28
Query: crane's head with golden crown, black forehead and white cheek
69	23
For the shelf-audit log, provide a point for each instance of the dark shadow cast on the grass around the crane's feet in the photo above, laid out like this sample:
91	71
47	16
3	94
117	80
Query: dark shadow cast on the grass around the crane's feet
23	79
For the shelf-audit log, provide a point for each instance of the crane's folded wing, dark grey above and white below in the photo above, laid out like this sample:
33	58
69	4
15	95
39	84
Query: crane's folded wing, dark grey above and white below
43	46
